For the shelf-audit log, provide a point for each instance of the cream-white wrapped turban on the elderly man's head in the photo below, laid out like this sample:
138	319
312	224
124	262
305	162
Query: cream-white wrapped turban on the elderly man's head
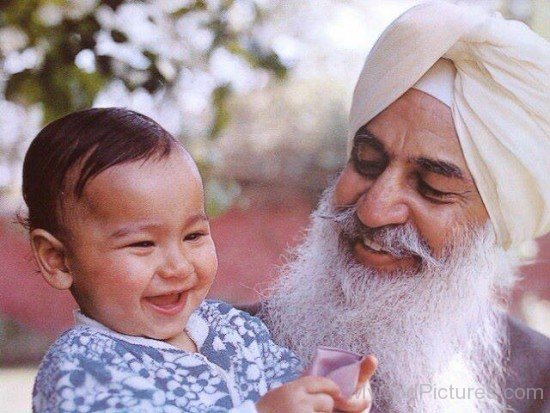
500	103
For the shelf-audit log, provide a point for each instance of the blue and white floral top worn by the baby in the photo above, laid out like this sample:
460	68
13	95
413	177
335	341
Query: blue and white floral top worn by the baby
92	368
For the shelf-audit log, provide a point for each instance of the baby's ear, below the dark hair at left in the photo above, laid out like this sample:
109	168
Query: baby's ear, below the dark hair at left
51	255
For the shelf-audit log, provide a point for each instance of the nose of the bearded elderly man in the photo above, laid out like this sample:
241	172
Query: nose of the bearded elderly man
384	201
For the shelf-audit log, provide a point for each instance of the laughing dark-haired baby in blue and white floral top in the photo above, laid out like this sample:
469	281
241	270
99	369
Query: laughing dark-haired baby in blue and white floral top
116	216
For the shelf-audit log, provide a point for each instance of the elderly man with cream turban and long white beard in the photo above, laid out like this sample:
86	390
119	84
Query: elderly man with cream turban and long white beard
410	253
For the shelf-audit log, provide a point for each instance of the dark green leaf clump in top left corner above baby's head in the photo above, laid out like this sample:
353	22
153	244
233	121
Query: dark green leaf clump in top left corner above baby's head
57	83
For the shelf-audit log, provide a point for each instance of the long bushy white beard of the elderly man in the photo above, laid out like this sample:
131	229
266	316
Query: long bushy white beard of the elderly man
429	330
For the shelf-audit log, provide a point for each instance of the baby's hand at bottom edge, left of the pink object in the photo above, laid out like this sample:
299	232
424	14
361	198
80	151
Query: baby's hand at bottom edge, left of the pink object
304	395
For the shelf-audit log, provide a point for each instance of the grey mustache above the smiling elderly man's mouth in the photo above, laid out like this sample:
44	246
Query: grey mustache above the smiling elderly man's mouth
402	240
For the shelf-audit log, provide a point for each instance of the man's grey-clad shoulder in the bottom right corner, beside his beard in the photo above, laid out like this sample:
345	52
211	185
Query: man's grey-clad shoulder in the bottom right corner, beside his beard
528	368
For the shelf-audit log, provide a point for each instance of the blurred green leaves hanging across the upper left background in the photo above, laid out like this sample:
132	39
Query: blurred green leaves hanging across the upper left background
60	86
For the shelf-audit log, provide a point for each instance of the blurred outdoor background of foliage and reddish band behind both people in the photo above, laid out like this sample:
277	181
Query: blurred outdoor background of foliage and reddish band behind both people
258	91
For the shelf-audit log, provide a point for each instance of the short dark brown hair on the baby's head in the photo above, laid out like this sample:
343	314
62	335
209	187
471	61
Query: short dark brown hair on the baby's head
95	140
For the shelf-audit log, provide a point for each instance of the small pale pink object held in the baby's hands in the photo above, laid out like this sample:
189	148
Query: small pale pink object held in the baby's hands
340	366
